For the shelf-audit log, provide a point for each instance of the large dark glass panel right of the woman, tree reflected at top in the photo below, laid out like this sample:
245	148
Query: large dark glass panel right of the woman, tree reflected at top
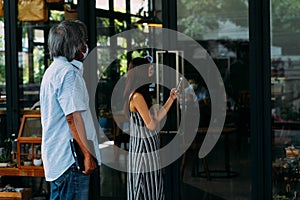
221	27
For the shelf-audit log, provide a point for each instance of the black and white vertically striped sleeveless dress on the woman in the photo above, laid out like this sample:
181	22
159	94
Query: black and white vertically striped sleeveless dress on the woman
143	181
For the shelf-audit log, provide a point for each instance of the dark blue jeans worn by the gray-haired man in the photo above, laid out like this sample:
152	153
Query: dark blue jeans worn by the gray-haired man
71	185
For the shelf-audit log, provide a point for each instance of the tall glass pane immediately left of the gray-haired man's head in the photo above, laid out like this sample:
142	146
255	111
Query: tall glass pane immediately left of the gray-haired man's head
32	63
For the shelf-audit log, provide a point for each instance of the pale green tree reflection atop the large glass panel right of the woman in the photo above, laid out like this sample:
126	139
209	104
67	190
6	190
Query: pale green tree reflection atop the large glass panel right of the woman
202	16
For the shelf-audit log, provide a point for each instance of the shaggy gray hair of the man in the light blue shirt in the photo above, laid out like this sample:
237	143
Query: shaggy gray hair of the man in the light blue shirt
65	39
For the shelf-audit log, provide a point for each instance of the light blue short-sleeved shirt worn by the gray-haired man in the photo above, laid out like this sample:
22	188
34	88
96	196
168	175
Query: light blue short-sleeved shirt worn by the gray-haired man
62	92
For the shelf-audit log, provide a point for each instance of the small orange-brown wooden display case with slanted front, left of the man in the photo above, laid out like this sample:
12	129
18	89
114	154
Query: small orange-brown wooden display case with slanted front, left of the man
29	142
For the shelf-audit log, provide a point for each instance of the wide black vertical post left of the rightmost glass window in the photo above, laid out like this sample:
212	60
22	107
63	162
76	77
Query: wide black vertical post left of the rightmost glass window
260	93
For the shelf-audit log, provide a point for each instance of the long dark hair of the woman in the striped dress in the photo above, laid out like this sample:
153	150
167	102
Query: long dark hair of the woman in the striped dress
133	79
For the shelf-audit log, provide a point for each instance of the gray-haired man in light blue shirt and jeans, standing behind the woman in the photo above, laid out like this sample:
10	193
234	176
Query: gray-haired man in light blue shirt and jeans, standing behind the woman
65	114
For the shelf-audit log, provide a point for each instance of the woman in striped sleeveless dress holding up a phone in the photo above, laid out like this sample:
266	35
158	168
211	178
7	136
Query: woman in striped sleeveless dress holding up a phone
144	179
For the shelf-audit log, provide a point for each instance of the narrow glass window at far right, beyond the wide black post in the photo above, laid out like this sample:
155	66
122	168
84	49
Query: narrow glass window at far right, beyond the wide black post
285	97
